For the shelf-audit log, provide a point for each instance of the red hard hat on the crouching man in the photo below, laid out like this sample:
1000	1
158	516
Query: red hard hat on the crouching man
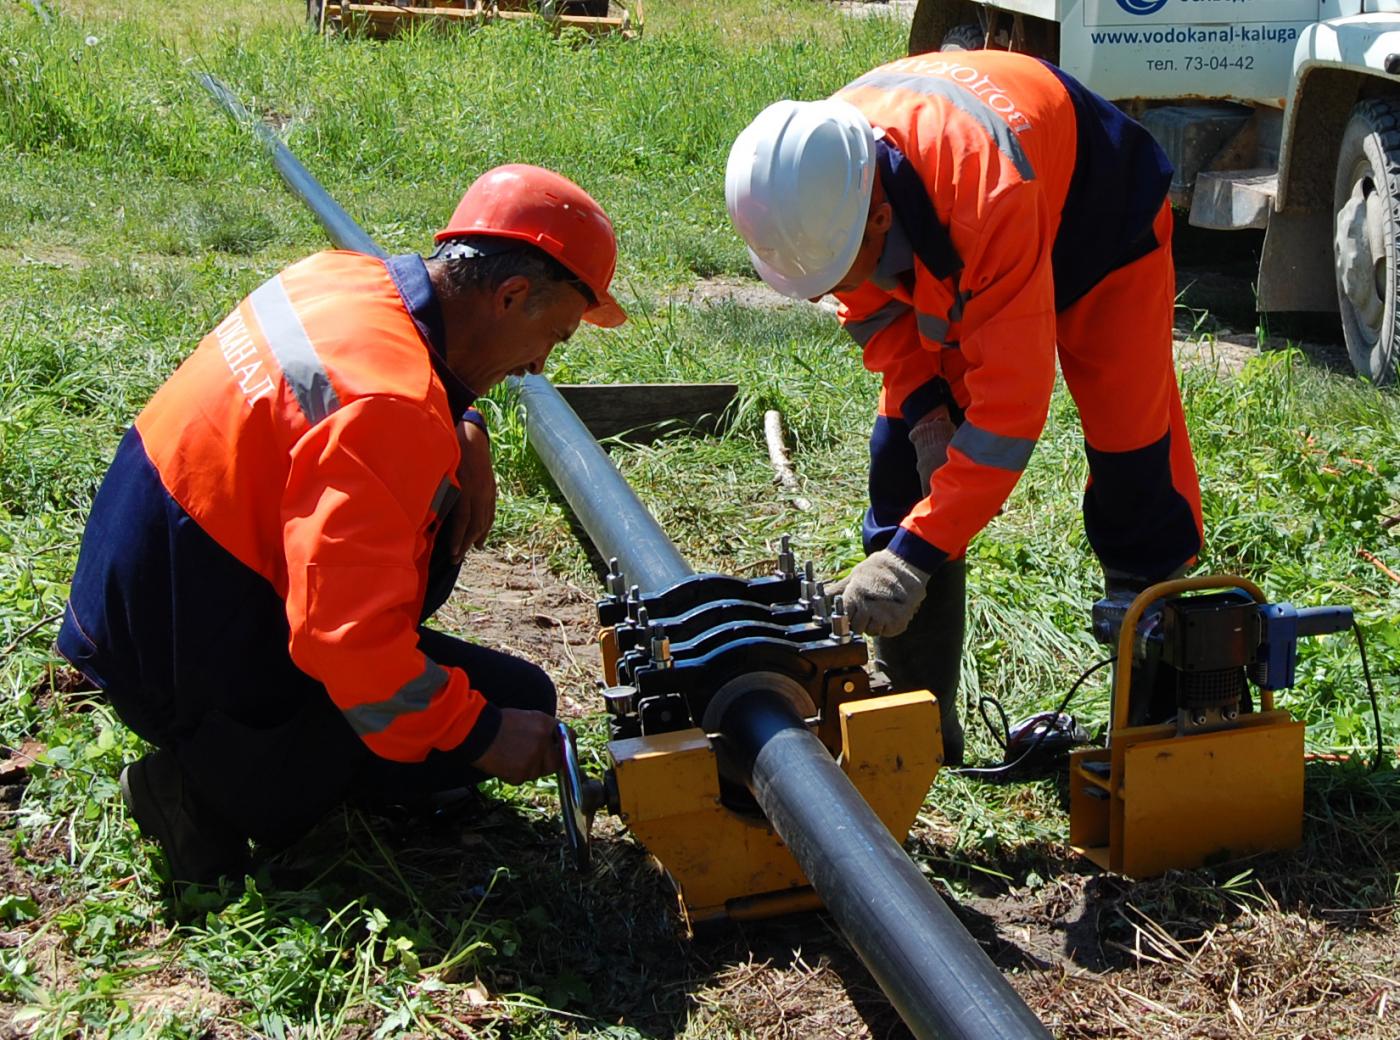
549	212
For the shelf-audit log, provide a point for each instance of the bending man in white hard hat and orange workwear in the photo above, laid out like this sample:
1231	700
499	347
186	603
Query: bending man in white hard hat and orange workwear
975	215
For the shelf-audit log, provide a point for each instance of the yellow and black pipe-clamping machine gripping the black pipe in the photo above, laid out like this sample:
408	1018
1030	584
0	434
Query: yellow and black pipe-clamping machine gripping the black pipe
673	663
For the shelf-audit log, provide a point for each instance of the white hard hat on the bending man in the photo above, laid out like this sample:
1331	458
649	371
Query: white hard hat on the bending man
799	190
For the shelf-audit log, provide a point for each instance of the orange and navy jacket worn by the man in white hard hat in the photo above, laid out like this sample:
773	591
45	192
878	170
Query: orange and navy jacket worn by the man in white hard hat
1042	190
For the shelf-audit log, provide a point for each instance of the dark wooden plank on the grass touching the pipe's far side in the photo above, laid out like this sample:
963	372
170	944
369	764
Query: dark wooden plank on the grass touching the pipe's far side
643	412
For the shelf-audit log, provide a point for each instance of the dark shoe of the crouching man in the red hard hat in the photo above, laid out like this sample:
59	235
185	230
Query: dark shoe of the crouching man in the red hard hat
163	807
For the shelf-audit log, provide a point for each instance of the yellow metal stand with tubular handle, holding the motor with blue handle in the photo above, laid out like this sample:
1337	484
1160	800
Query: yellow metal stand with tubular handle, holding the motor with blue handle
1179	803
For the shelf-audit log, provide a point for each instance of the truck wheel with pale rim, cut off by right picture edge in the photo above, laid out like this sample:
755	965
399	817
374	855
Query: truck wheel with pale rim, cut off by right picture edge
1367	237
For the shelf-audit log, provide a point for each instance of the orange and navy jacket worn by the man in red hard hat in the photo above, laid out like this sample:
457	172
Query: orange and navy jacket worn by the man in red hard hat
300	461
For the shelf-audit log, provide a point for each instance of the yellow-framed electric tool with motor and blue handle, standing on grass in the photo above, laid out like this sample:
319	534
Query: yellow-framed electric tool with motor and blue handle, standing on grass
1217	780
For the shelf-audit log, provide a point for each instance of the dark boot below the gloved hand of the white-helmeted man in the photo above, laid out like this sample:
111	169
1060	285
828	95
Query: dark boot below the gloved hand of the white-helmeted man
927	656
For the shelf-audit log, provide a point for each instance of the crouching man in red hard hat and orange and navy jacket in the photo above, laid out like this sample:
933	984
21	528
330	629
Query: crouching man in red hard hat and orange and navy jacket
292	506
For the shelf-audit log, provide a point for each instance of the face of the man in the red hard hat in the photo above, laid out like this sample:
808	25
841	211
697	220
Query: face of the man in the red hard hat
526	324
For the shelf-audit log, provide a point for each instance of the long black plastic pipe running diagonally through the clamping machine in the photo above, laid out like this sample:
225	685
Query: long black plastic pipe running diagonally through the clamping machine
934	974
